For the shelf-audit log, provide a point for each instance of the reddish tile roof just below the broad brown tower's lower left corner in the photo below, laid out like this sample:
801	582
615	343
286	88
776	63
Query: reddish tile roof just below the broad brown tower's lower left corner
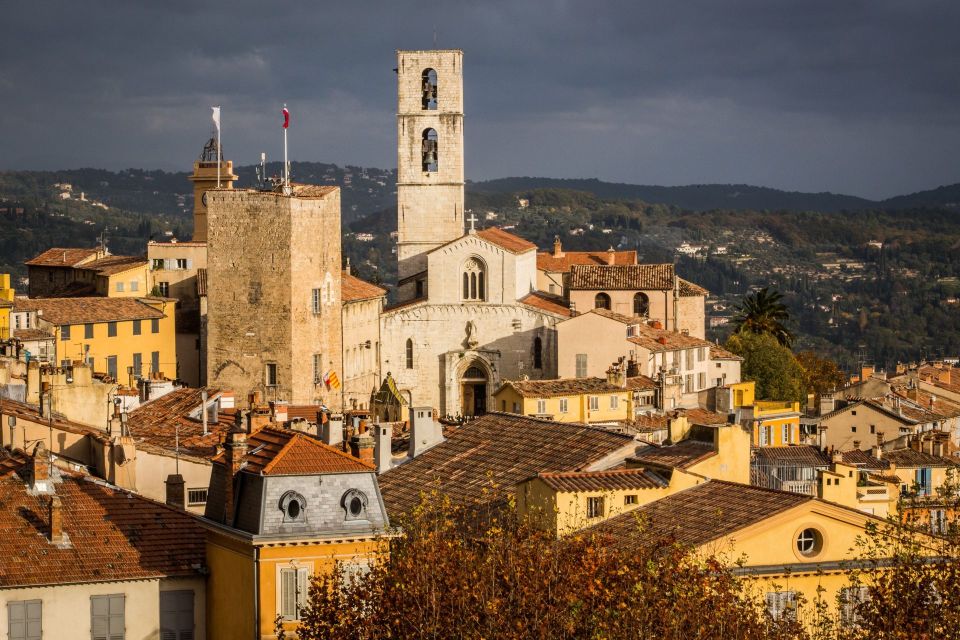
156	423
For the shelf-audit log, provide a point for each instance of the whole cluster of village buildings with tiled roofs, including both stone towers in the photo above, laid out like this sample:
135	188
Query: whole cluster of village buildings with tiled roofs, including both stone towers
232	414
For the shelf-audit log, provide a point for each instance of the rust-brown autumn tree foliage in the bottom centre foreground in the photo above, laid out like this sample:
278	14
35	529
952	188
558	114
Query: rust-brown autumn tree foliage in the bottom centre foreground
499	578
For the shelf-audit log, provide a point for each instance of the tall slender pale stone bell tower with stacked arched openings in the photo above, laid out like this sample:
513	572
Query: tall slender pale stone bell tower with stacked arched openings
429	159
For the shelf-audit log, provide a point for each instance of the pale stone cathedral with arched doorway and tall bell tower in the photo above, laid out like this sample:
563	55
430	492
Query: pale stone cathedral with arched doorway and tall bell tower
468	314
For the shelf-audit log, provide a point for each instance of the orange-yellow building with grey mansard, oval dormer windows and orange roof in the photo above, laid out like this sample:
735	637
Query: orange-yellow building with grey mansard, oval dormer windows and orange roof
282	507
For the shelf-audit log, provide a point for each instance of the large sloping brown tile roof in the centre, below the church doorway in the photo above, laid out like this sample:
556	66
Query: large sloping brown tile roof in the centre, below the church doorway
485	458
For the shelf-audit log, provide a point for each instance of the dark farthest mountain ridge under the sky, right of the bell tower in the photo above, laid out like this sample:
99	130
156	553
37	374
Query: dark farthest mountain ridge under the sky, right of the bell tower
705	197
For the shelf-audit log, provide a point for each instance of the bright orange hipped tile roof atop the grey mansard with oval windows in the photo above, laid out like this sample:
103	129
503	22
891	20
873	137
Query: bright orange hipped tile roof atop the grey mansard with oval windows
280	452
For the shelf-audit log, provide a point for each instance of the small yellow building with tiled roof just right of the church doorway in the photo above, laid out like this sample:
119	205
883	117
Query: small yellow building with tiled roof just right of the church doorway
588	400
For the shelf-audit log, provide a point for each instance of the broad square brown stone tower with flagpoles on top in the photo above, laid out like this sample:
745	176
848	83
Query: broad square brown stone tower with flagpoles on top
274	325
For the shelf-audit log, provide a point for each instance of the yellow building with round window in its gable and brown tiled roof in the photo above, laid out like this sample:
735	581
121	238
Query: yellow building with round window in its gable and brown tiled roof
792	548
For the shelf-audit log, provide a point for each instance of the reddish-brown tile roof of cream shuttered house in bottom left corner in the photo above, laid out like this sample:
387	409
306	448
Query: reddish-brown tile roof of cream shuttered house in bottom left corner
113	535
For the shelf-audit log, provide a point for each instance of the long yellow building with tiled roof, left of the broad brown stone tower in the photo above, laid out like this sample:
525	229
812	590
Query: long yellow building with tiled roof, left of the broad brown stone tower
113	335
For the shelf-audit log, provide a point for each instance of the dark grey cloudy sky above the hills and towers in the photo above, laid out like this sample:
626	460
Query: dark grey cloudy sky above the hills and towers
850	96
